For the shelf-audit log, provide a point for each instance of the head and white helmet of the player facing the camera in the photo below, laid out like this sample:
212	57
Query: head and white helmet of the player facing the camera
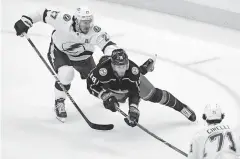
83	19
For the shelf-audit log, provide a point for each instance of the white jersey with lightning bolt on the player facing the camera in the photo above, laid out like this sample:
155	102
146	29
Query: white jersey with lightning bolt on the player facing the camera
69	41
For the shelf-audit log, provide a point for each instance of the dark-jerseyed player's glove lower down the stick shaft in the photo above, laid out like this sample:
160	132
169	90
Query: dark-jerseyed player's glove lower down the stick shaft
133	116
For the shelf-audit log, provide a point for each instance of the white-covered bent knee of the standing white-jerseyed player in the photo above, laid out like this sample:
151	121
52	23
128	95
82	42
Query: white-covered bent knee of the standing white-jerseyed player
66	74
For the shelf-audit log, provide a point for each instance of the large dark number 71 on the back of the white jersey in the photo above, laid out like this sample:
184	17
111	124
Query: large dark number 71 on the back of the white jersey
221	137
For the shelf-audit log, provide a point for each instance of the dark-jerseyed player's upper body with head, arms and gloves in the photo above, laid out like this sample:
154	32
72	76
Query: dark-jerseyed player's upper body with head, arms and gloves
115	80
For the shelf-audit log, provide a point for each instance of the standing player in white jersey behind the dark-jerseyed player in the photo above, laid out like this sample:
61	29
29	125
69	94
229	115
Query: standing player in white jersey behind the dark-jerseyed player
72	45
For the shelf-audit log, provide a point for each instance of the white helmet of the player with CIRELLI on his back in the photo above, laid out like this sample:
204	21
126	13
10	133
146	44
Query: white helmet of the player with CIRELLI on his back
213	112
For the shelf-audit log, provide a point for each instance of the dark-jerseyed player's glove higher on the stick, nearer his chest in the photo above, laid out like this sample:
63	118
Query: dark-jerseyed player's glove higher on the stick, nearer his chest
109	101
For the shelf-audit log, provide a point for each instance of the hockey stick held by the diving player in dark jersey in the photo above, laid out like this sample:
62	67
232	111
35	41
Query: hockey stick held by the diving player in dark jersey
152	134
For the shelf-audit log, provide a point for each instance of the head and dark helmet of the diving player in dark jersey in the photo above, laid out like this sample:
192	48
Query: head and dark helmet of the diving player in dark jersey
120	62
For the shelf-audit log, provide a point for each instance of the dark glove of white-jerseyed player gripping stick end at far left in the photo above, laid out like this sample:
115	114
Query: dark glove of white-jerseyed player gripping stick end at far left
22	25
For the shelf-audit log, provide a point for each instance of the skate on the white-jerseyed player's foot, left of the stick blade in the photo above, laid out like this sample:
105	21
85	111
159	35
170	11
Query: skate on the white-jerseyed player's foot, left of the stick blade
60	109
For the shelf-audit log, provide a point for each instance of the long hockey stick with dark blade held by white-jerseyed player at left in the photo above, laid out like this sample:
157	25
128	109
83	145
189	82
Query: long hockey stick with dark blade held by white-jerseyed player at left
92	125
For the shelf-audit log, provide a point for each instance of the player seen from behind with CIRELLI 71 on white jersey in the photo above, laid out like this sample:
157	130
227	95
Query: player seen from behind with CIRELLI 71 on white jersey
217	140
